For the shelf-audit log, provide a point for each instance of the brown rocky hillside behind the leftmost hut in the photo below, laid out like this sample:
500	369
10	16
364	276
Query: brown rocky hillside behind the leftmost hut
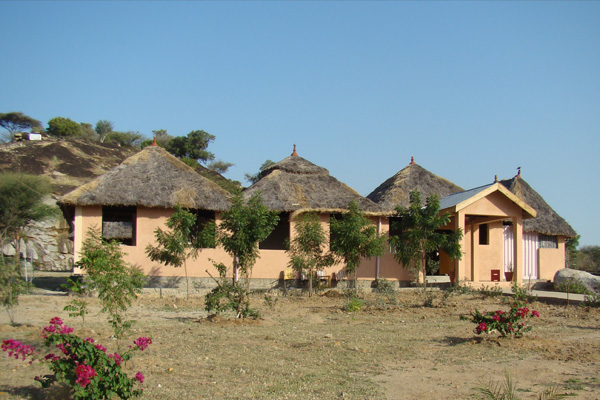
68	164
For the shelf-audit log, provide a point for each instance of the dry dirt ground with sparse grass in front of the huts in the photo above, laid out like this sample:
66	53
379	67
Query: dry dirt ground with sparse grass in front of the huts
310	348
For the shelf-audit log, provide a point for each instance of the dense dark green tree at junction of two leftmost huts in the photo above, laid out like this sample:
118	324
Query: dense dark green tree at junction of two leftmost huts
242	228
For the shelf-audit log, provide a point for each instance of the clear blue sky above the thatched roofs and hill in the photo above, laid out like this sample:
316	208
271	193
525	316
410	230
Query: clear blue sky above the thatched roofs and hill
470	89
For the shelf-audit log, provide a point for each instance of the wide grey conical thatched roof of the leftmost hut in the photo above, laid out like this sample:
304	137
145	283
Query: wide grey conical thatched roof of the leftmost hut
151	178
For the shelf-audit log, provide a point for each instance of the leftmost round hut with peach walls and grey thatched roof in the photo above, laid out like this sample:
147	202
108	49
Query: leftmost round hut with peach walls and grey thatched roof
130	201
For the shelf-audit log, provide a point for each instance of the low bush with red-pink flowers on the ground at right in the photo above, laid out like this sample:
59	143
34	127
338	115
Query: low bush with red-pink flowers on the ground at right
511	323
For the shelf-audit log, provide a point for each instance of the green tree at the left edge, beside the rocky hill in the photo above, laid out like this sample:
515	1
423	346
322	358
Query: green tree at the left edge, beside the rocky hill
21	203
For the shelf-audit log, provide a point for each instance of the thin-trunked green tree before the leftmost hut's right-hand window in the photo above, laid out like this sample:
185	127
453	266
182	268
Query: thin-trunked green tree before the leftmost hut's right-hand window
182	242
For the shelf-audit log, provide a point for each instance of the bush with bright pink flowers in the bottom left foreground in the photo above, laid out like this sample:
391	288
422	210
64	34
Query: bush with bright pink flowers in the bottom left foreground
84	366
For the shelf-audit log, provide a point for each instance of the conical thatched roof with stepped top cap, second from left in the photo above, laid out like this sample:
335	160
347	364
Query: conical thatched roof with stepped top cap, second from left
296	184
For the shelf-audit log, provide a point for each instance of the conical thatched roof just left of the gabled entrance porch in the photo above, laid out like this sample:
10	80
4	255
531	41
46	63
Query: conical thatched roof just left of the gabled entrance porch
396	190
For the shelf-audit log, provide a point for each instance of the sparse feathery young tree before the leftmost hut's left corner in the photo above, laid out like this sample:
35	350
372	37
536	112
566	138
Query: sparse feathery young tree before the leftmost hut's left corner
117	282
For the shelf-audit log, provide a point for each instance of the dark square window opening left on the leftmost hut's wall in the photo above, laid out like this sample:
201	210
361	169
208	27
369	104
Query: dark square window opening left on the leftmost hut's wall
119	224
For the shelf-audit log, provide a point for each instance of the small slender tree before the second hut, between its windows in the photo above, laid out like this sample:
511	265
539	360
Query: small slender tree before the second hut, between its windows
307	249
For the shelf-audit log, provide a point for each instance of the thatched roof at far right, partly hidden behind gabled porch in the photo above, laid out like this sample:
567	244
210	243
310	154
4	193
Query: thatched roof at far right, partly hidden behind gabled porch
547	222
